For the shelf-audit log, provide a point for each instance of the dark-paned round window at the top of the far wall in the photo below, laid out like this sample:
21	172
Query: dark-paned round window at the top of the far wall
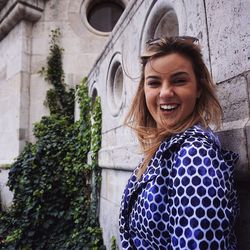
103	15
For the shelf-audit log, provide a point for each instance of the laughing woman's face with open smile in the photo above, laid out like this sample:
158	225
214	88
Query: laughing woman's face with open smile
170	88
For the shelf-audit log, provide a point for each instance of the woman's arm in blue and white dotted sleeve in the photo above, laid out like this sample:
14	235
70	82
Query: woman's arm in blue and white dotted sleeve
201	199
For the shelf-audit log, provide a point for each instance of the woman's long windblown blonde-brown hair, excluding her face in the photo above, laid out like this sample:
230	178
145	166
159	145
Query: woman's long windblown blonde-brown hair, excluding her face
207	109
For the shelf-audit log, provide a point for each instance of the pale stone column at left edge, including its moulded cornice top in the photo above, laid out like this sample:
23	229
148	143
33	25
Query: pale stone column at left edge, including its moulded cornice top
16	20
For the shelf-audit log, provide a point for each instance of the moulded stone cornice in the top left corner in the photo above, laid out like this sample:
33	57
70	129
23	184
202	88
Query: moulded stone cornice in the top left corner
14	11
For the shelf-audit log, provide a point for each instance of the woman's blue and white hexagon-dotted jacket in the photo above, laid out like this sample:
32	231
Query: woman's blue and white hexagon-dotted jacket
186	198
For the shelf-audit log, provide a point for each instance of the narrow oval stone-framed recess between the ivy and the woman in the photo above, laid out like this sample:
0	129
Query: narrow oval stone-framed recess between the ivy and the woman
115	85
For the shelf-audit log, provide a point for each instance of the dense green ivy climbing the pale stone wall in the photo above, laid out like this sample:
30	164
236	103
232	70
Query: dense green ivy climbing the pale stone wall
55	190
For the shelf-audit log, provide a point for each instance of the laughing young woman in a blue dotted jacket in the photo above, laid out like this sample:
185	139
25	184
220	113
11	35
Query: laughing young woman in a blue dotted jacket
182	195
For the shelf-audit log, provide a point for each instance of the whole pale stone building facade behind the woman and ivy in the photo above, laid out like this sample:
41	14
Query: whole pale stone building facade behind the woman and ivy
110	59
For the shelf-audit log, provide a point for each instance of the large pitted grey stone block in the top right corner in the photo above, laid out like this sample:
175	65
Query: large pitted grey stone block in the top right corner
229	38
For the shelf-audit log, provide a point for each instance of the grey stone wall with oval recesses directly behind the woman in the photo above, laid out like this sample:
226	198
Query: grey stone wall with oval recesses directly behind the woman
222	29
